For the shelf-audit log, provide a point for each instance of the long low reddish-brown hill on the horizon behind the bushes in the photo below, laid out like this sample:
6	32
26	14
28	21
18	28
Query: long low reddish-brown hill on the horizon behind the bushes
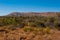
33	14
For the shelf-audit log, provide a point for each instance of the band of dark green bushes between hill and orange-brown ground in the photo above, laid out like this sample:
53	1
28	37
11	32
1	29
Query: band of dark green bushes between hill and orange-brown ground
34	21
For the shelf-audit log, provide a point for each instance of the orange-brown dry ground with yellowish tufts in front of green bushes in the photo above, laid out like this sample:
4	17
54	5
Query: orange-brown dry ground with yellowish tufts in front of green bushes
30	33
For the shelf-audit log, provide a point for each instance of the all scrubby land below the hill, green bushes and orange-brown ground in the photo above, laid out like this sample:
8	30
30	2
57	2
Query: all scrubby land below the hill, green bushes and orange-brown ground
29	28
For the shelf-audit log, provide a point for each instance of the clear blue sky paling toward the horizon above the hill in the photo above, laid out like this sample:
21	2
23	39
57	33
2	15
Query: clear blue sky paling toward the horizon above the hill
9	6
